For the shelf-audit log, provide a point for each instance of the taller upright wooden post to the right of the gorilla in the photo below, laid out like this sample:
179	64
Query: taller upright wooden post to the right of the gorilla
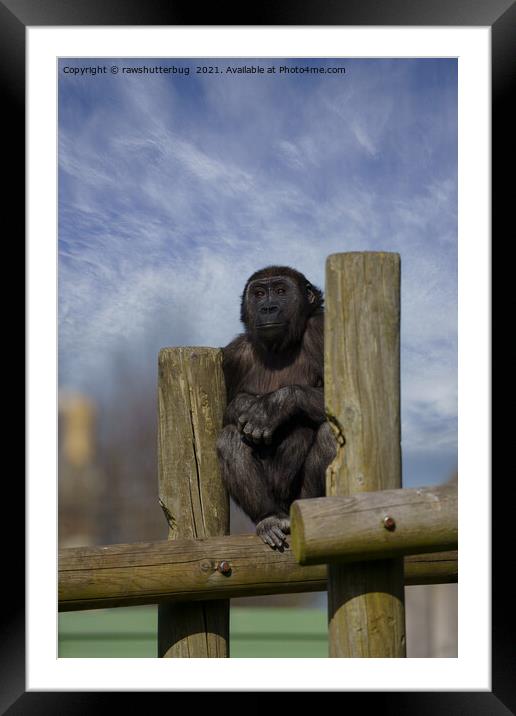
362	393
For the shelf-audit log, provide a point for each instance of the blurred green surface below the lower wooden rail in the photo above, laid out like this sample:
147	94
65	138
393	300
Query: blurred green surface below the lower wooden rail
255	632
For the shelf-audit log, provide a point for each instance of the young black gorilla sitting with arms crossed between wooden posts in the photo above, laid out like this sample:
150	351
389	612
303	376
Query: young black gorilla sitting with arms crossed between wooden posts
276	444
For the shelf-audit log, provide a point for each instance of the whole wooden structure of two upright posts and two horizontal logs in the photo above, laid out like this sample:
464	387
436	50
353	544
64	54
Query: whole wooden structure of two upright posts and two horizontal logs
364	542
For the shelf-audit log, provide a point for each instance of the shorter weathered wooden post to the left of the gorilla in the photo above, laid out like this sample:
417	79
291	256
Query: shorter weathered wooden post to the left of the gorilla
191	401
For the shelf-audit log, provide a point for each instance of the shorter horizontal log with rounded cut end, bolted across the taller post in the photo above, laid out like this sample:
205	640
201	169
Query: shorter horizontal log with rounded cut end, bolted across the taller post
375	525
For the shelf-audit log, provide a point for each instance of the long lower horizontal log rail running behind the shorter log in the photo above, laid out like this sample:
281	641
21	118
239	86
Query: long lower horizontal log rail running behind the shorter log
215	568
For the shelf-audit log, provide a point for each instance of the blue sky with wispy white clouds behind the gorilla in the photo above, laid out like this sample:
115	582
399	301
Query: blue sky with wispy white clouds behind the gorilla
174	188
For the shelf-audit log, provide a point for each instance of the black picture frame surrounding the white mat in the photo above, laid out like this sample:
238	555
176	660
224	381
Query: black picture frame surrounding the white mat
500	16
